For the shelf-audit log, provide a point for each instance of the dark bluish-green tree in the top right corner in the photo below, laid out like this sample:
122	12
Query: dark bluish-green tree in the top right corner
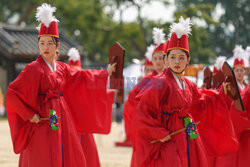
234	24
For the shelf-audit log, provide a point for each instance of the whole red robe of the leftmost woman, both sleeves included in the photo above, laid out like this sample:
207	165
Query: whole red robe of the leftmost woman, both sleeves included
73	94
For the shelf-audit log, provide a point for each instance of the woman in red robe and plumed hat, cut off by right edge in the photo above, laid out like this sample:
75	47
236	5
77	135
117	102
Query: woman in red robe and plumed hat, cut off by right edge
240	119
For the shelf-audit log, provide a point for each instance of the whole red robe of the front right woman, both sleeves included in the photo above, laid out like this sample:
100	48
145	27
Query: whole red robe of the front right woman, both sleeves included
161	111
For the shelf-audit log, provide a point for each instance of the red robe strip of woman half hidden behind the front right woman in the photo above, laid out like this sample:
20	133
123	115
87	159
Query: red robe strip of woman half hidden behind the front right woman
131	104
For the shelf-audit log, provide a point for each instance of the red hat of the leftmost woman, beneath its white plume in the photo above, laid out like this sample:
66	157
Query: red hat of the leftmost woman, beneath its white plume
52	30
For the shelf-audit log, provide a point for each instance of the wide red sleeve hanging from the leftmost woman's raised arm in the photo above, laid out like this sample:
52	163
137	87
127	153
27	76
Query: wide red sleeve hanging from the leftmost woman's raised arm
86	95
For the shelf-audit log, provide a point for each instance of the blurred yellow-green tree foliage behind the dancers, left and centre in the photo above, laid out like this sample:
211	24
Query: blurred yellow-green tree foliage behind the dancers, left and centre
86	22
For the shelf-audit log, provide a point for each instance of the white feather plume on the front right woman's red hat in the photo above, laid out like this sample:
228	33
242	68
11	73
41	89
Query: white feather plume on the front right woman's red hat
183	27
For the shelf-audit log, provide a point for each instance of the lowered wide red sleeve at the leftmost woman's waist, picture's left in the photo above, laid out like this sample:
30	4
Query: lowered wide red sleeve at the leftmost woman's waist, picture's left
21	103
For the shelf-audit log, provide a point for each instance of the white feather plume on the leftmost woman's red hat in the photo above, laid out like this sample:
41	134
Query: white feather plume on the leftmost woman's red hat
44	14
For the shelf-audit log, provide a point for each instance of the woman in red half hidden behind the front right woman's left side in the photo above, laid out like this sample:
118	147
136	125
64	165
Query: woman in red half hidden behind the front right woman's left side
154	57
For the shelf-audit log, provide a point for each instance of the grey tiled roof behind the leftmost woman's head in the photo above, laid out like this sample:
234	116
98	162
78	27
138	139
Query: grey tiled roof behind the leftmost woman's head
20	43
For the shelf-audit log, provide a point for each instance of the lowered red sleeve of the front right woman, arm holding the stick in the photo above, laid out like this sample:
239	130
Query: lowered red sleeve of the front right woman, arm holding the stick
148	123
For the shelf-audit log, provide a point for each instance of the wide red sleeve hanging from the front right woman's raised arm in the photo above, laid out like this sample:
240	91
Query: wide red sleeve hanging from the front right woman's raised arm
216	128
